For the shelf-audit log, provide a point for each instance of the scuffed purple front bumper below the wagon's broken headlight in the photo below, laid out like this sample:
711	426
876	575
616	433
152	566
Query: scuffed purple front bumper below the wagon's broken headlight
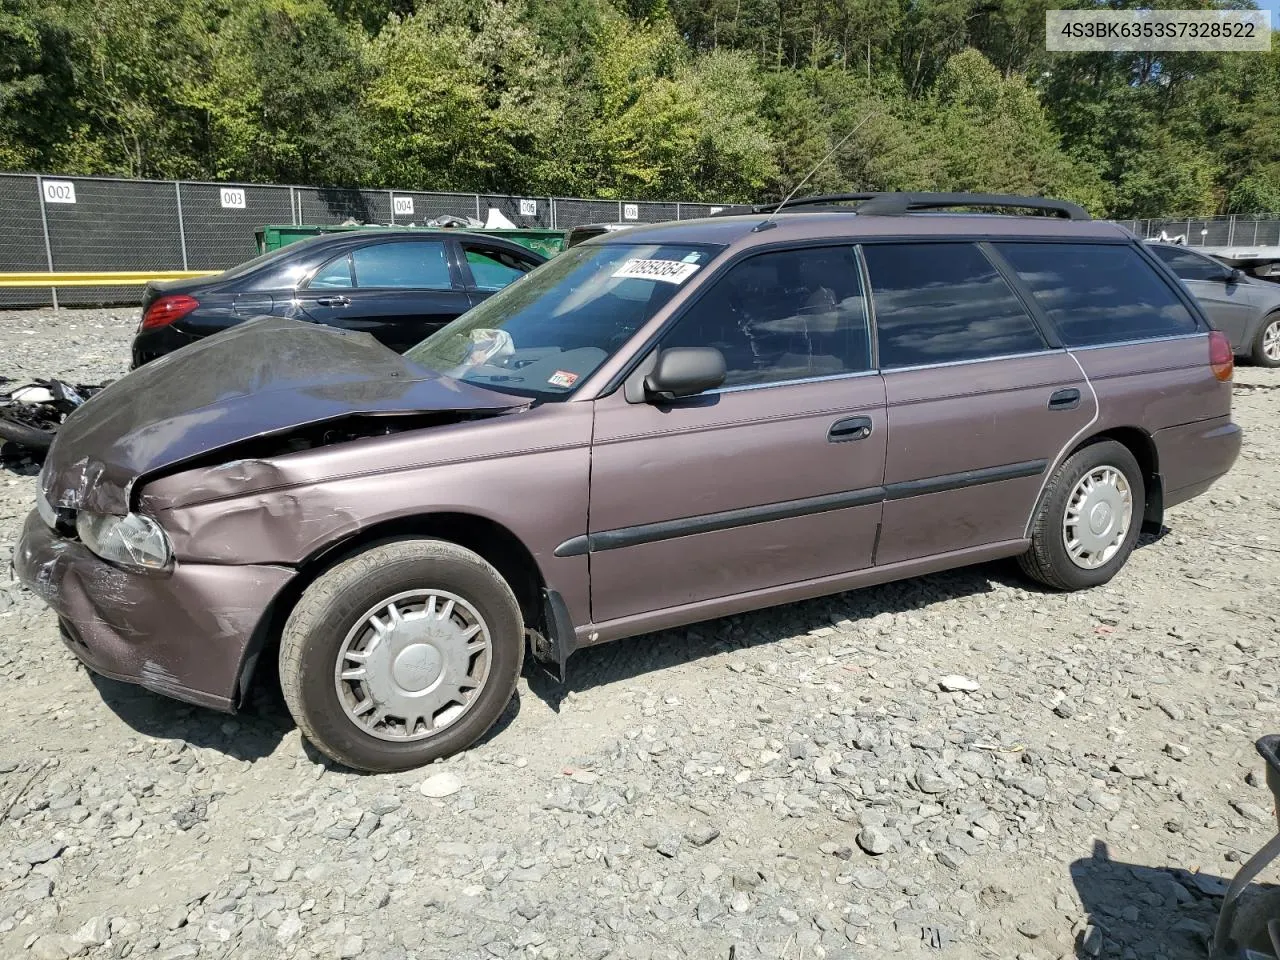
182	634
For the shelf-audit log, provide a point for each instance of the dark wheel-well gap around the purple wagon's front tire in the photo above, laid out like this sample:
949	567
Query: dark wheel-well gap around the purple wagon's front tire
484	537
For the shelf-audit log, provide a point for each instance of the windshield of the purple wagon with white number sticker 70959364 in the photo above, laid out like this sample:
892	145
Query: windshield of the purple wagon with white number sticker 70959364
548	332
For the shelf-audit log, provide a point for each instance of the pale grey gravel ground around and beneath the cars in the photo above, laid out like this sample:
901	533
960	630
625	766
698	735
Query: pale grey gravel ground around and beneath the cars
958	766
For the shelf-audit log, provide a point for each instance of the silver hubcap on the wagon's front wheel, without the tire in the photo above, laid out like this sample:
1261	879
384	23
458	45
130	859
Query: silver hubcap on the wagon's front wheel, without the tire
414	665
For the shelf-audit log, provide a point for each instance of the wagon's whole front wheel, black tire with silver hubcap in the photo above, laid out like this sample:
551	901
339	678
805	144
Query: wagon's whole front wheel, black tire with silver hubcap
403	655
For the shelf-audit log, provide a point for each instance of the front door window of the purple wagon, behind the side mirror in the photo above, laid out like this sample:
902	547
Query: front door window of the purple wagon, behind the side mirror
788	316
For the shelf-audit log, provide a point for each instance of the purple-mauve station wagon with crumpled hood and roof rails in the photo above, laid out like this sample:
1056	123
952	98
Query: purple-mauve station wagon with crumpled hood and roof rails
661	427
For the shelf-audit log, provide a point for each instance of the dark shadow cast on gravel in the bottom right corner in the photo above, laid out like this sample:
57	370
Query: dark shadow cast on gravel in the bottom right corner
1133	909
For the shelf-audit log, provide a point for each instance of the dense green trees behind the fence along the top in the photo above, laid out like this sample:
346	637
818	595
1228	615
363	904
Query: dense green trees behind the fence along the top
637	99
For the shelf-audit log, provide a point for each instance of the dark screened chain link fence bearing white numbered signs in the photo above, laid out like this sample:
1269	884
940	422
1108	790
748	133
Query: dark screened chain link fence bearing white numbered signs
99	225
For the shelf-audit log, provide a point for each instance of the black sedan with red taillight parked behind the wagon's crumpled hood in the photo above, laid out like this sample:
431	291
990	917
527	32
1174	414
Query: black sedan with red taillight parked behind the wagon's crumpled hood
397	286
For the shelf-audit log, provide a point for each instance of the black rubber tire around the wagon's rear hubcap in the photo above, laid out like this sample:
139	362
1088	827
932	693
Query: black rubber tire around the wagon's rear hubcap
1048	559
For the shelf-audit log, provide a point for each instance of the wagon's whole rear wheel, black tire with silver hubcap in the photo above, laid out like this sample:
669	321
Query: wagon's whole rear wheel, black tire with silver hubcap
1089	519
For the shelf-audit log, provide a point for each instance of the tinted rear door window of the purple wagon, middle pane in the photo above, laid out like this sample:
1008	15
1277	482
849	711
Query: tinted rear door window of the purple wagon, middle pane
943	303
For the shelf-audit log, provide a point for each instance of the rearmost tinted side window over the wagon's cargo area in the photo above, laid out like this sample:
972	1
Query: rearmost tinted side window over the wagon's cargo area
1099	294
